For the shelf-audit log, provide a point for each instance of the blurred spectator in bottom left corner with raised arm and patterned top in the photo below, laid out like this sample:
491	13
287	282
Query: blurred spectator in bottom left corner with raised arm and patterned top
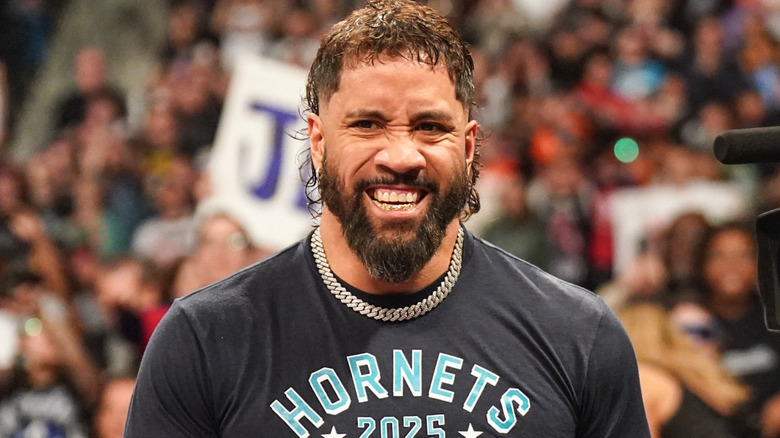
56	384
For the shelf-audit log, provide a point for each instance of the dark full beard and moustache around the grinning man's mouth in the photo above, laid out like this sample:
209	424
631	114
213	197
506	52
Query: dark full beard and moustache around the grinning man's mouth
394	259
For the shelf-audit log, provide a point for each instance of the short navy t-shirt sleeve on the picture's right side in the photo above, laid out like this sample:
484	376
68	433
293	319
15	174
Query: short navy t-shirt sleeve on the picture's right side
612	401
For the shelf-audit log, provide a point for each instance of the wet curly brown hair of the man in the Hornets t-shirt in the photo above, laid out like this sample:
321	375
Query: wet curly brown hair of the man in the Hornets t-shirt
397	29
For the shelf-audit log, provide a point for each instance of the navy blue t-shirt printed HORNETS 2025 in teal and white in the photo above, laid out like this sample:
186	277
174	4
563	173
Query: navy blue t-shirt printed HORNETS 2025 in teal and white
270	352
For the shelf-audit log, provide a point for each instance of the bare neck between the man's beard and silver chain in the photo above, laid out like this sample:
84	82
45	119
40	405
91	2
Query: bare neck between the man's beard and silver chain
347	265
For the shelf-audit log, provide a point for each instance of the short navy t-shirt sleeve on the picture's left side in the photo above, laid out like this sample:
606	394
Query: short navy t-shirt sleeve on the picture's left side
172	396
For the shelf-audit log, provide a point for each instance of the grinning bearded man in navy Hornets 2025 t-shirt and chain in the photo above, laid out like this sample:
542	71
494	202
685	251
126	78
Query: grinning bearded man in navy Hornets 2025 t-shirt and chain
390	319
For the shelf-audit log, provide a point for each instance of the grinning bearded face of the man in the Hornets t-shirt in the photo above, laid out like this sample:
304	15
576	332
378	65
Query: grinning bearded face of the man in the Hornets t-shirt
395	146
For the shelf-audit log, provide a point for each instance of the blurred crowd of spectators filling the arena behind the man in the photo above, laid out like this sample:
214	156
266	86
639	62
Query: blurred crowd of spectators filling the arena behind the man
606	104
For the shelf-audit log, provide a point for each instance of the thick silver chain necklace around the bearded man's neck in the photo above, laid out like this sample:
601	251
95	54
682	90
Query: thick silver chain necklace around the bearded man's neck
381	313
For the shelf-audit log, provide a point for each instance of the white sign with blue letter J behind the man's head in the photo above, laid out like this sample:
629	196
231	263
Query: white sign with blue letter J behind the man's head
254	166
